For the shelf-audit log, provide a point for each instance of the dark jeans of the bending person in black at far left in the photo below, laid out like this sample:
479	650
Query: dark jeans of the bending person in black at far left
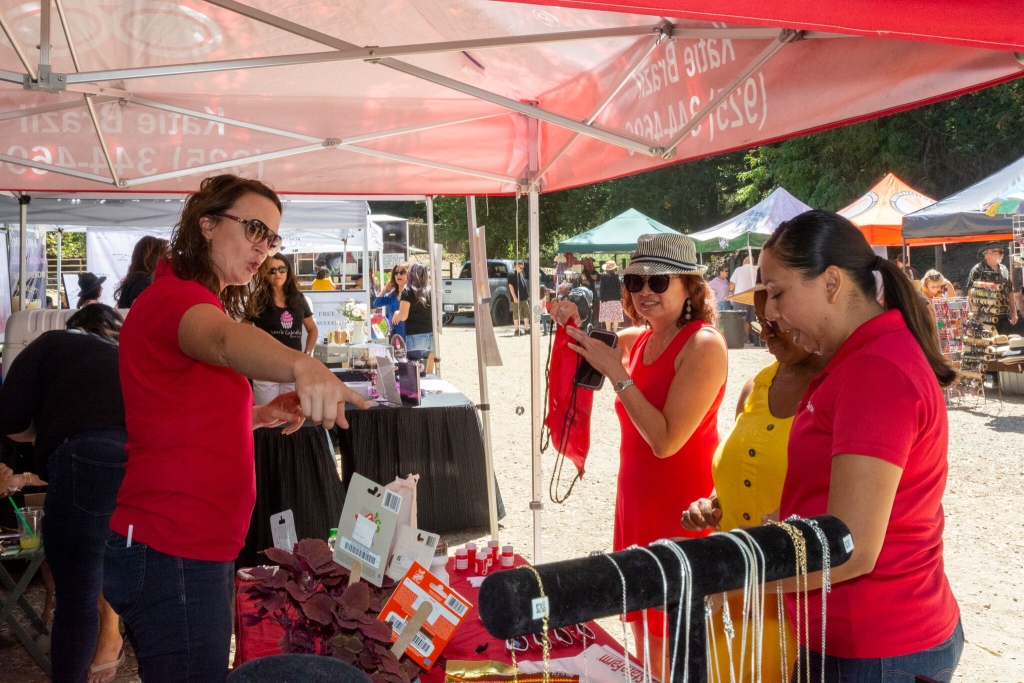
86	474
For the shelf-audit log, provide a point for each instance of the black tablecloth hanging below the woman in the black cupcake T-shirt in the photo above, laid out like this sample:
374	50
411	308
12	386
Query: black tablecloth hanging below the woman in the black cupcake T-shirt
296	473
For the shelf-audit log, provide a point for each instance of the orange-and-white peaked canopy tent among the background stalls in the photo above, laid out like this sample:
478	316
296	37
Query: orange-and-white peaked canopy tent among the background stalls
879	214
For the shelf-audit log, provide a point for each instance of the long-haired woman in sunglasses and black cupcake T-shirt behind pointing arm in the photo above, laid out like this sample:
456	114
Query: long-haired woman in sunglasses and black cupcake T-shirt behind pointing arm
280	310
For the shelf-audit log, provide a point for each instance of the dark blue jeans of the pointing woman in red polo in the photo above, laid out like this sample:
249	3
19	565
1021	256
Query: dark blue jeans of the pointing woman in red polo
180	611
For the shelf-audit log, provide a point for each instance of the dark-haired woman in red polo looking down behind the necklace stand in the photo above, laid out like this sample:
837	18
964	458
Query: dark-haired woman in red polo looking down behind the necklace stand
869	446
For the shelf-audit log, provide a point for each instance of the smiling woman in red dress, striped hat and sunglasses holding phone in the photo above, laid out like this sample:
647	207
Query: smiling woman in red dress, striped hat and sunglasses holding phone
669	373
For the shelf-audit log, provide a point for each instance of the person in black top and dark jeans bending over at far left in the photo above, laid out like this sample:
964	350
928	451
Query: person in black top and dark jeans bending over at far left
64	392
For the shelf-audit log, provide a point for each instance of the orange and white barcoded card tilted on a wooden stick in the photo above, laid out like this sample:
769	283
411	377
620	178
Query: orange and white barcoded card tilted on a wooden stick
450	610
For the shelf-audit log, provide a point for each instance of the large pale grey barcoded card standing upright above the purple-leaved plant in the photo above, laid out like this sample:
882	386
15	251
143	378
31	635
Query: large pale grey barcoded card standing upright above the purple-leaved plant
368	525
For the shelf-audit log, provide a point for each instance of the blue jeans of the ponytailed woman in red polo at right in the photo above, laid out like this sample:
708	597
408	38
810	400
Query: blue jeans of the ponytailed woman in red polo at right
938	663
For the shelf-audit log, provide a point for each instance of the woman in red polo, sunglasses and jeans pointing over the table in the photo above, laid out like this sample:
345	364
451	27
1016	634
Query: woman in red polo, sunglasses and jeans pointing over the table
190	485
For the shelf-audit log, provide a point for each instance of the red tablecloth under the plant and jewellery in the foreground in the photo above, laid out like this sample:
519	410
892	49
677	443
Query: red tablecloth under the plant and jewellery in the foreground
262	641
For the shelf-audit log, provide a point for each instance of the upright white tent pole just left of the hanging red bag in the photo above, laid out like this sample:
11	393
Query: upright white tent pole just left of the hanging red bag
536	369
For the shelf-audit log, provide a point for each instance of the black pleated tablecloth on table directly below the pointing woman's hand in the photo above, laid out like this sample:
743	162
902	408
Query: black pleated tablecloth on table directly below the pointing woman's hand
442	442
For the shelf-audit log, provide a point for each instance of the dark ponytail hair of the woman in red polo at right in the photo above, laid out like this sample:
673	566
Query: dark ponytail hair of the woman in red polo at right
816	240
